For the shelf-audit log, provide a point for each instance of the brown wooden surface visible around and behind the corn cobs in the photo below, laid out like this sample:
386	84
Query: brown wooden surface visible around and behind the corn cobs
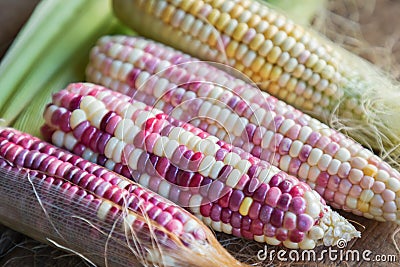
369	28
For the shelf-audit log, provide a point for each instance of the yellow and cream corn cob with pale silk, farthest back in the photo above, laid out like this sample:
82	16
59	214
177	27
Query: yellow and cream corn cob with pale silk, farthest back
284	59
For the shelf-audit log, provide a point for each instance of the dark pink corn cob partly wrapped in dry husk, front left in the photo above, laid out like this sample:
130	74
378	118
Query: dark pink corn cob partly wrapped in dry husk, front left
70	193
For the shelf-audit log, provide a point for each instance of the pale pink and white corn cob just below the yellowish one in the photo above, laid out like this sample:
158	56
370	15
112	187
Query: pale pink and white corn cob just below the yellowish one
345	174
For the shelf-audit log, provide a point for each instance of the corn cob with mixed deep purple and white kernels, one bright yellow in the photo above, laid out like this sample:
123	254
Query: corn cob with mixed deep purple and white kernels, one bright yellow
226	187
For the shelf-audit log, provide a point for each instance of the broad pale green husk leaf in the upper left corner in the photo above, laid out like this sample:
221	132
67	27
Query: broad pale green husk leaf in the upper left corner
45	44
